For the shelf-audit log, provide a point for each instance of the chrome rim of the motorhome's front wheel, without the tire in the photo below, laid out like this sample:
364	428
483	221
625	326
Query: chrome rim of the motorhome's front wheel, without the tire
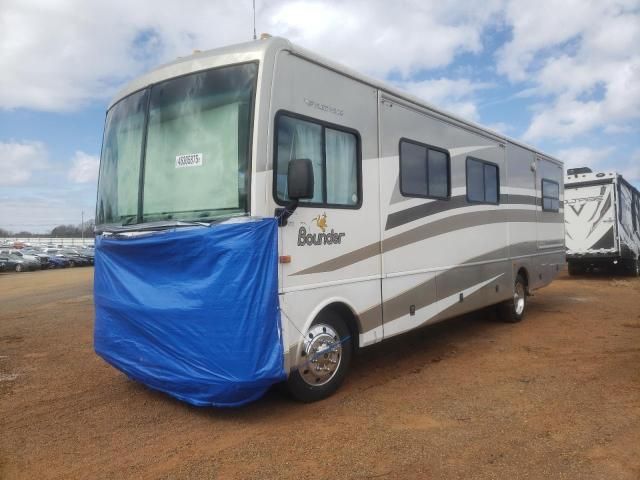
321	355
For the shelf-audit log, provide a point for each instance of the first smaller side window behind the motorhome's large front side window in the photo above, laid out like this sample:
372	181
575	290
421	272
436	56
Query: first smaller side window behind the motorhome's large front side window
424	170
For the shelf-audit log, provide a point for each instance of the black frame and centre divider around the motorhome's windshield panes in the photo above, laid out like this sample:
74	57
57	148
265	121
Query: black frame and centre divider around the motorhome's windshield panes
114	226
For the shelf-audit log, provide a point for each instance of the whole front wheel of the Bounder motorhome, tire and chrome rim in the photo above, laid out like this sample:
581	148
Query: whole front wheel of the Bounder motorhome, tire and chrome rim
308	382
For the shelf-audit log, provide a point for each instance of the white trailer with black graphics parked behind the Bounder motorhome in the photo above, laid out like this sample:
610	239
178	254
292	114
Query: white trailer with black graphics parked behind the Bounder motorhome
602	215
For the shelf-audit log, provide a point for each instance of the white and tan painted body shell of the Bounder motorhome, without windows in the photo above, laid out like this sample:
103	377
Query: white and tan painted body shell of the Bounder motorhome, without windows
388	263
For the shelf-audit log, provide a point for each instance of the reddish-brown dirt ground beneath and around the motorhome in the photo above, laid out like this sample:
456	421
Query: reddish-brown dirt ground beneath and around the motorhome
556	396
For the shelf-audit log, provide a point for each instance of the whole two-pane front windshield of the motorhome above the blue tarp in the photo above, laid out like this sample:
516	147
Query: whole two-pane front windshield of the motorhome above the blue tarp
179	150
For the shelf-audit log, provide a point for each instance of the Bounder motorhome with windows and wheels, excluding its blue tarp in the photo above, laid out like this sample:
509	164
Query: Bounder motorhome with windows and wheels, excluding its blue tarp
403	215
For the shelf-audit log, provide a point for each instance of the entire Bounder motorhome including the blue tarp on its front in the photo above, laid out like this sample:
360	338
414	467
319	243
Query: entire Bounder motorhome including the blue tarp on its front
389	214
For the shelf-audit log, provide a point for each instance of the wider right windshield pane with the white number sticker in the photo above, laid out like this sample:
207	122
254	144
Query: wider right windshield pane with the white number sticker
202	119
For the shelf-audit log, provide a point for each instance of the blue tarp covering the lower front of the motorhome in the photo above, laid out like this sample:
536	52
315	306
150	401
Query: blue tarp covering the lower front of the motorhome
192	312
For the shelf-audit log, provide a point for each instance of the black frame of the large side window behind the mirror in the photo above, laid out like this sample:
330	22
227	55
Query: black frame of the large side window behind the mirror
324	125
